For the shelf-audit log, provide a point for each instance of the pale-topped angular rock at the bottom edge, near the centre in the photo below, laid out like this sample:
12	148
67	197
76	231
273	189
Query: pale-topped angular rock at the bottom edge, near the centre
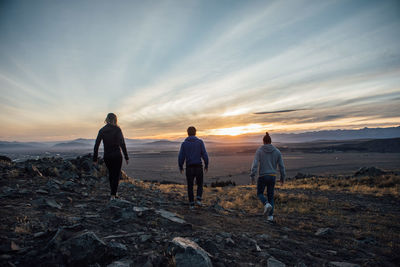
188	254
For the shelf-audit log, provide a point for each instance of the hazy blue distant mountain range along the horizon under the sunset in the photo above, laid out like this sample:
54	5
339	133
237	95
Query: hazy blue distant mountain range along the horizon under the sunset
333	135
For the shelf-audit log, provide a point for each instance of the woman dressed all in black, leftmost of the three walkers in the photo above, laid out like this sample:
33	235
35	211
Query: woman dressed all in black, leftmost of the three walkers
113	141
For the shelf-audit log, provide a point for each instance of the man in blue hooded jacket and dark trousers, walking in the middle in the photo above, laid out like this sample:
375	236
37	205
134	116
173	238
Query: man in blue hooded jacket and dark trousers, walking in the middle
192	151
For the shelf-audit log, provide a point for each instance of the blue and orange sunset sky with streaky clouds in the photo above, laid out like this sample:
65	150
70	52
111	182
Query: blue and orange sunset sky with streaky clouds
226	67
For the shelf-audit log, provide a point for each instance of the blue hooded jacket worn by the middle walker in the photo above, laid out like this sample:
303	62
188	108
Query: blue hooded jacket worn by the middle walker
192	150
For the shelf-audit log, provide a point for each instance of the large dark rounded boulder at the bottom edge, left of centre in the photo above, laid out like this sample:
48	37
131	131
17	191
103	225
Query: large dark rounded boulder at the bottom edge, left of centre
83	249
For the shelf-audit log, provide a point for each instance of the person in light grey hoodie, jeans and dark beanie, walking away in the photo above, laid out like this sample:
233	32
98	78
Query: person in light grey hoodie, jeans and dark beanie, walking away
266	161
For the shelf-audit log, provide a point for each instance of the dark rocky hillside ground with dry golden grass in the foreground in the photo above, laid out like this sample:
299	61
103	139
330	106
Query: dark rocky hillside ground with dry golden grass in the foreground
57	212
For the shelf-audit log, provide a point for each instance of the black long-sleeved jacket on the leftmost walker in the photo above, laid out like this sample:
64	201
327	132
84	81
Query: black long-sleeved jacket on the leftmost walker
113	142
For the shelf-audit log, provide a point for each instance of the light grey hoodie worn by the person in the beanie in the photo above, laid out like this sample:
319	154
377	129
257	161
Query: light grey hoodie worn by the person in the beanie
268	157
